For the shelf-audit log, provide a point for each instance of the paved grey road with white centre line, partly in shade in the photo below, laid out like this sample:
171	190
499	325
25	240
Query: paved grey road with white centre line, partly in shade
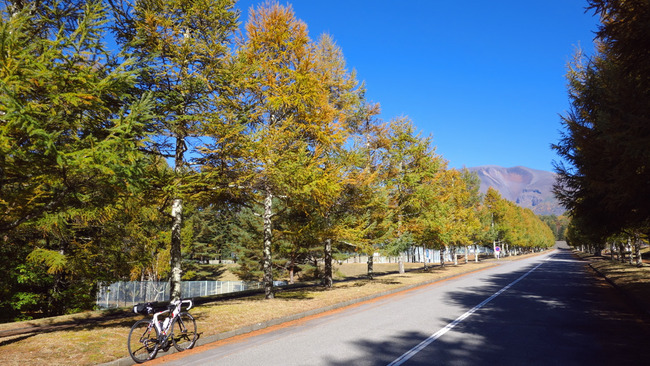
545	310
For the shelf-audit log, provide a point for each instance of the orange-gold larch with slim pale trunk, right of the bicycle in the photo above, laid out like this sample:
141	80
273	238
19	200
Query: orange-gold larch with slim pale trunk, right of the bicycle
288	123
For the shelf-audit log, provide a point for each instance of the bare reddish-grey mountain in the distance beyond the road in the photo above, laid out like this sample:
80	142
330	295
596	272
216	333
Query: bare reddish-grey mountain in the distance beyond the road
528	188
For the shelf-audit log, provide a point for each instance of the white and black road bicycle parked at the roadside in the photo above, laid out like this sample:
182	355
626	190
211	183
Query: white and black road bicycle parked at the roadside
147	337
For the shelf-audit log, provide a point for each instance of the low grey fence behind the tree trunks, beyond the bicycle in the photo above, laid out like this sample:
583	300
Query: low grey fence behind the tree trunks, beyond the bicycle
124	294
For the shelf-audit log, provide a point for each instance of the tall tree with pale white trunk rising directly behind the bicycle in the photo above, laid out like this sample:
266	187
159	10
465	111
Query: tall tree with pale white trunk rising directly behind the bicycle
181	46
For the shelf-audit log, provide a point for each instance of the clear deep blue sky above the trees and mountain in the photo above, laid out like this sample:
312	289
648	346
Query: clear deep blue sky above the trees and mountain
484	78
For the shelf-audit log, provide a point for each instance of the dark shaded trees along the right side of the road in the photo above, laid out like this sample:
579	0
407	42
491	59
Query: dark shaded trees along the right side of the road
604	178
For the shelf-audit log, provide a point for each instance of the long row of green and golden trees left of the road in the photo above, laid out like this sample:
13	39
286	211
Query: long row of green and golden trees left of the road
190	139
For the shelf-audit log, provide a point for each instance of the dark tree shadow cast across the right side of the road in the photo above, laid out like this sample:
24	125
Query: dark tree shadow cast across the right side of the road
559	314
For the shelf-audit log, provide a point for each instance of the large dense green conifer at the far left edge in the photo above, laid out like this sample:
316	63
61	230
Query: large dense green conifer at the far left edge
70	134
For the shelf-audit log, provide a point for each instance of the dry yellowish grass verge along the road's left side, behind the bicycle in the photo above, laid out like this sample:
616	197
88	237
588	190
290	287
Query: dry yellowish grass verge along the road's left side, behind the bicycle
101	336
